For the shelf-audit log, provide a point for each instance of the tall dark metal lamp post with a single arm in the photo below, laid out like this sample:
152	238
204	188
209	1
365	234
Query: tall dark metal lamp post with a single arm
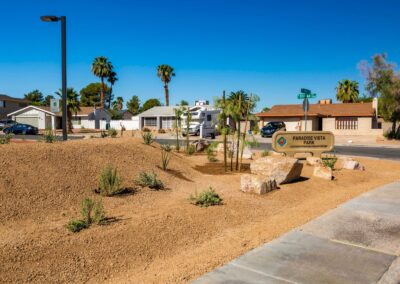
63	66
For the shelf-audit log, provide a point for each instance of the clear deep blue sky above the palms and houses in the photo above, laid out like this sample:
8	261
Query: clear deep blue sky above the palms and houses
270	48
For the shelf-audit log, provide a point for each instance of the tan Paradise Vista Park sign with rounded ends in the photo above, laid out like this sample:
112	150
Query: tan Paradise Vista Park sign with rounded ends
292	142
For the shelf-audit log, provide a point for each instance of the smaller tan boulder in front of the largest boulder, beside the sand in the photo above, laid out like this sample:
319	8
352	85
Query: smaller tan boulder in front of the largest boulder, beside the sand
257	184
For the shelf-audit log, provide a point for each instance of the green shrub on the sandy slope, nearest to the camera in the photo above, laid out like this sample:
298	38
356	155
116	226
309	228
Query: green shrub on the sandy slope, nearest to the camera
92	213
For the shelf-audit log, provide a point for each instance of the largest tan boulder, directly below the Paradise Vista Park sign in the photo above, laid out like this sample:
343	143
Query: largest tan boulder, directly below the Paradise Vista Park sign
281	169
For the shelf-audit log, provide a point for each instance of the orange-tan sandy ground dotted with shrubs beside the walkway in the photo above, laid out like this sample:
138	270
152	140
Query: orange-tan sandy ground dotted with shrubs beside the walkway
158	237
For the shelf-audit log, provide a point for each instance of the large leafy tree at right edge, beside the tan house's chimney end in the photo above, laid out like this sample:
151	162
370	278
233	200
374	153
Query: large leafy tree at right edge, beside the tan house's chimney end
383	82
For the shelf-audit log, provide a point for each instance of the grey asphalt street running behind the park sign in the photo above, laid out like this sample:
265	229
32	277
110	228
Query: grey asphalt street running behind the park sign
381	152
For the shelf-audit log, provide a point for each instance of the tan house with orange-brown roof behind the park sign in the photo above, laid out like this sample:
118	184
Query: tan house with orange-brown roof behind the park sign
339	118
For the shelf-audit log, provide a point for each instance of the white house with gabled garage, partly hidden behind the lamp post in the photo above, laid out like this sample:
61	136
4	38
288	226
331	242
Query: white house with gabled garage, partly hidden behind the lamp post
43	118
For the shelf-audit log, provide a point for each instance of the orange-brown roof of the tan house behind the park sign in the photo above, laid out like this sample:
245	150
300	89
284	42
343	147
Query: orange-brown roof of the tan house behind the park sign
323	110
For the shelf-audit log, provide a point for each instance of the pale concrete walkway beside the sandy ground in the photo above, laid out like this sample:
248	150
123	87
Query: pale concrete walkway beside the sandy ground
358	242
